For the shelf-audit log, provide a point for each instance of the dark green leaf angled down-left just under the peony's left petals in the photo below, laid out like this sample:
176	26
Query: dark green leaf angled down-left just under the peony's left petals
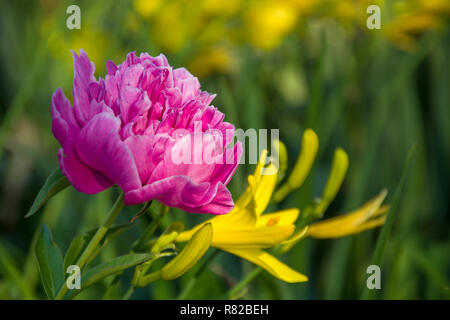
55	183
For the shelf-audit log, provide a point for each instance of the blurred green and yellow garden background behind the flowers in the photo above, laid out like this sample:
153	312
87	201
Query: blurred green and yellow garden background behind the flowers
288	64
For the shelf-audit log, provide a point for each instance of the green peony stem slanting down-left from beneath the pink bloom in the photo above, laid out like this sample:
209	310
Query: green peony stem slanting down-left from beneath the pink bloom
113	213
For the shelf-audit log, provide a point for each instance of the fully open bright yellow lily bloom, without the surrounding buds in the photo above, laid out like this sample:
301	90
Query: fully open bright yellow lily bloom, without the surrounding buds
245	231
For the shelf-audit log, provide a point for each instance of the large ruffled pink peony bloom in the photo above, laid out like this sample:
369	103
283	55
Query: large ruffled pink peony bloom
126	128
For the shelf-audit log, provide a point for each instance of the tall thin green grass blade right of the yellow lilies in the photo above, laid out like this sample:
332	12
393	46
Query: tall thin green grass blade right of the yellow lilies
382	241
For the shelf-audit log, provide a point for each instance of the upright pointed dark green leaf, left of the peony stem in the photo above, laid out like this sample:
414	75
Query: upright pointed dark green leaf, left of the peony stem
50	262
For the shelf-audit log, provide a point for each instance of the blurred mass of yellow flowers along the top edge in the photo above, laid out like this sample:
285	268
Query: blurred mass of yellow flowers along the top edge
207	31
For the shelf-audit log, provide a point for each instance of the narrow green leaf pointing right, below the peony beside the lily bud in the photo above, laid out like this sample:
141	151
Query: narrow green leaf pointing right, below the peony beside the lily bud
116	265
